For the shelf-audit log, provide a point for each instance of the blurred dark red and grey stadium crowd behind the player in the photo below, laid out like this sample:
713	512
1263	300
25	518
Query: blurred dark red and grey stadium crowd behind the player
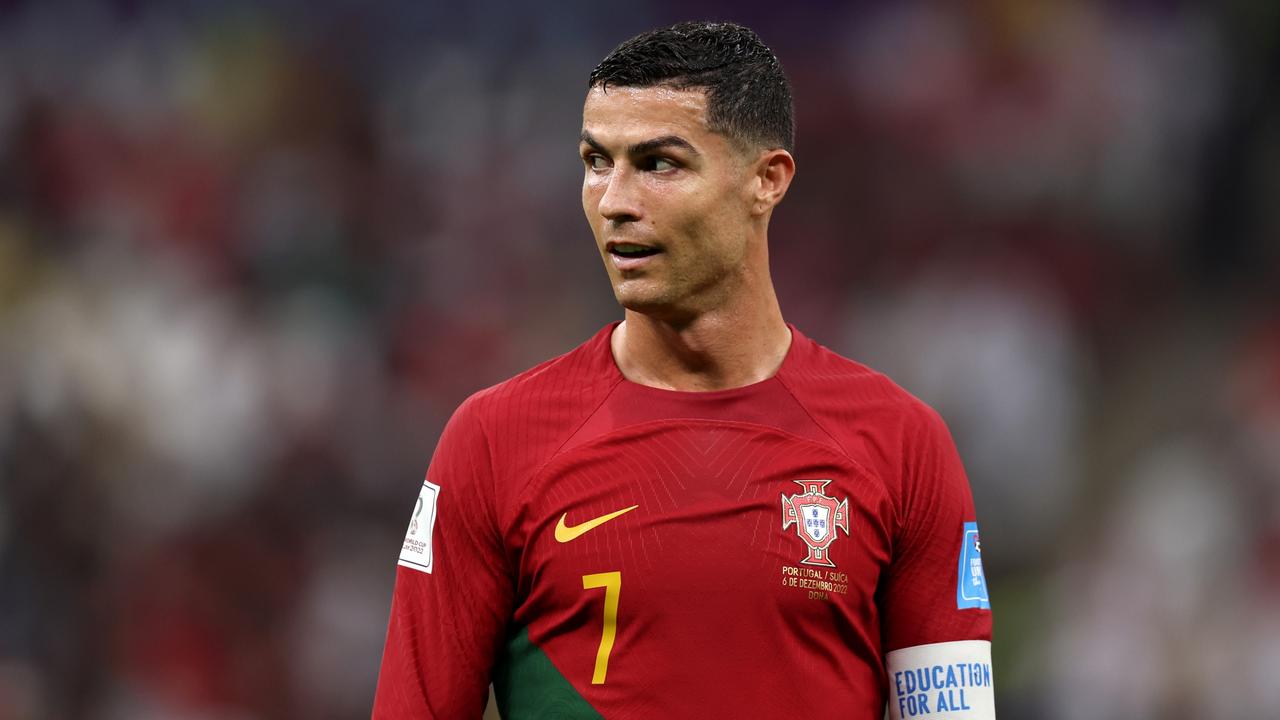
253	256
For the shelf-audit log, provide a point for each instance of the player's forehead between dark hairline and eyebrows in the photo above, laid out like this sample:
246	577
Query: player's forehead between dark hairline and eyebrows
632	115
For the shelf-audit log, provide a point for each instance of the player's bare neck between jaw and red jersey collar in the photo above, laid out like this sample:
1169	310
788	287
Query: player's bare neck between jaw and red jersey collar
717	350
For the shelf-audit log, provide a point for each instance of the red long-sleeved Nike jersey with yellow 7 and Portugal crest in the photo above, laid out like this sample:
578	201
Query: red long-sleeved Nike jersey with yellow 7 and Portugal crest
596	548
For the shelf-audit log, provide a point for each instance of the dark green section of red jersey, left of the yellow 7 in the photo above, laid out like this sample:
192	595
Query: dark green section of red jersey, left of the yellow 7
528	686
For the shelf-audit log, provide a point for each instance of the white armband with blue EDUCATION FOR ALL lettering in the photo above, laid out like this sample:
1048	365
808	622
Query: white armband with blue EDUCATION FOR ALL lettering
941	682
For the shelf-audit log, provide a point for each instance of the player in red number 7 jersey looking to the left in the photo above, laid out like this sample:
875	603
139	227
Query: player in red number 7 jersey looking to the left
700	513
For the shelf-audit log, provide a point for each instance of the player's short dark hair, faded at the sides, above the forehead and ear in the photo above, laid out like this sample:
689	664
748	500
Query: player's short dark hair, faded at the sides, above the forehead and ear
748	95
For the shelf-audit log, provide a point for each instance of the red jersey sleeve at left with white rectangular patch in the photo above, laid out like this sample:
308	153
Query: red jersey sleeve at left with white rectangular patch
454	590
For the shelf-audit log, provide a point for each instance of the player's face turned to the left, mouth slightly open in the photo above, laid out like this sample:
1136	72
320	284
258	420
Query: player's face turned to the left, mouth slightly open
668	199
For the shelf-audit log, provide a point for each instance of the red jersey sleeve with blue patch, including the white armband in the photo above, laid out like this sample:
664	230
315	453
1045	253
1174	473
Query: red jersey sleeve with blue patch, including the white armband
935	608
